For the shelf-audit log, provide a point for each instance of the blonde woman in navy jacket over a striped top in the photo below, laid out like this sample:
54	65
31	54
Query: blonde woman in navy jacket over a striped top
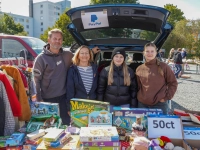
82	76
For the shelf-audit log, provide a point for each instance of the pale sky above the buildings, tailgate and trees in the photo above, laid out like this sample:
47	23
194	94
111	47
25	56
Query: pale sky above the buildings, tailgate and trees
189	7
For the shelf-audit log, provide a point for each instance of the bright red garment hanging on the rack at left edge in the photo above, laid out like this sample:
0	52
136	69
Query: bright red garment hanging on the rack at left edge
14	102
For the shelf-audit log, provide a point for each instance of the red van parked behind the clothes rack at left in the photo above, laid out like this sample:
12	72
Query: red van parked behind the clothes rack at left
14	46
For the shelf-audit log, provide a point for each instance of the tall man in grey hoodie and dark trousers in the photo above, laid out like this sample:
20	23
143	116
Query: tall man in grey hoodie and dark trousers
50	72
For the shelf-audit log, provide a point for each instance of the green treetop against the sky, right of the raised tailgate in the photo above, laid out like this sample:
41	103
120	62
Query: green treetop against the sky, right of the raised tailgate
176	14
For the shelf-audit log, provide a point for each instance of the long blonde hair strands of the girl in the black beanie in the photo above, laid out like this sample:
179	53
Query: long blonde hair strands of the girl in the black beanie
127	79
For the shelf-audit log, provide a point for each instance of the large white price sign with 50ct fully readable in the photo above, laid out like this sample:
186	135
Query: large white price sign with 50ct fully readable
164	125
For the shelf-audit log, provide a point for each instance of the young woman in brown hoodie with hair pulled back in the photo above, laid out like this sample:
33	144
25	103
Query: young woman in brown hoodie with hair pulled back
156	81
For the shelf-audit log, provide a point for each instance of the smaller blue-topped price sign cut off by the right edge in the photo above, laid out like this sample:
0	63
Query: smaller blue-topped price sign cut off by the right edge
191	133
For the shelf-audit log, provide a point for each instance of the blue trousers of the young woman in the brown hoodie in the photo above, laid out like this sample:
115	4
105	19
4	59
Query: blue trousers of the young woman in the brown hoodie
164	106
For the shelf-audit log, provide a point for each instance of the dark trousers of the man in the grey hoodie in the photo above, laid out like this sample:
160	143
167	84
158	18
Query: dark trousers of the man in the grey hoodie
61	100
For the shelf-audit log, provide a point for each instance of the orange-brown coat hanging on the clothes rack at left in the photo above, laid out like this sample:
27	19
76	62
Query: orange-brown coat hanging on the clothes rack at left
20	91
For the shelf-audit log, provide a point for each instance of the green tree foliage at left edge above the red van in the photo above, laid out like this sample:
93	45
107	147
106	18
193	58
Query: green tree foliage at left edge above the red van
8	26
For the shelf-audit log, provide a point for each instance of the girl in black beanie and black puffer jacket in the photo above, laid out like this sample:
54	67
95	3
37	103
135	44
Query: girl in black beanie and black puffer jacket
117	82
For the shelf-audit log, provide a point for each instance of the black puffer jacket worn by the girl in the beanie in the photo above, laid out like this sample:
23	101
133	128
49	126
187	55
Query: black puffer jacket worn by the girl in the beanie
117	93
